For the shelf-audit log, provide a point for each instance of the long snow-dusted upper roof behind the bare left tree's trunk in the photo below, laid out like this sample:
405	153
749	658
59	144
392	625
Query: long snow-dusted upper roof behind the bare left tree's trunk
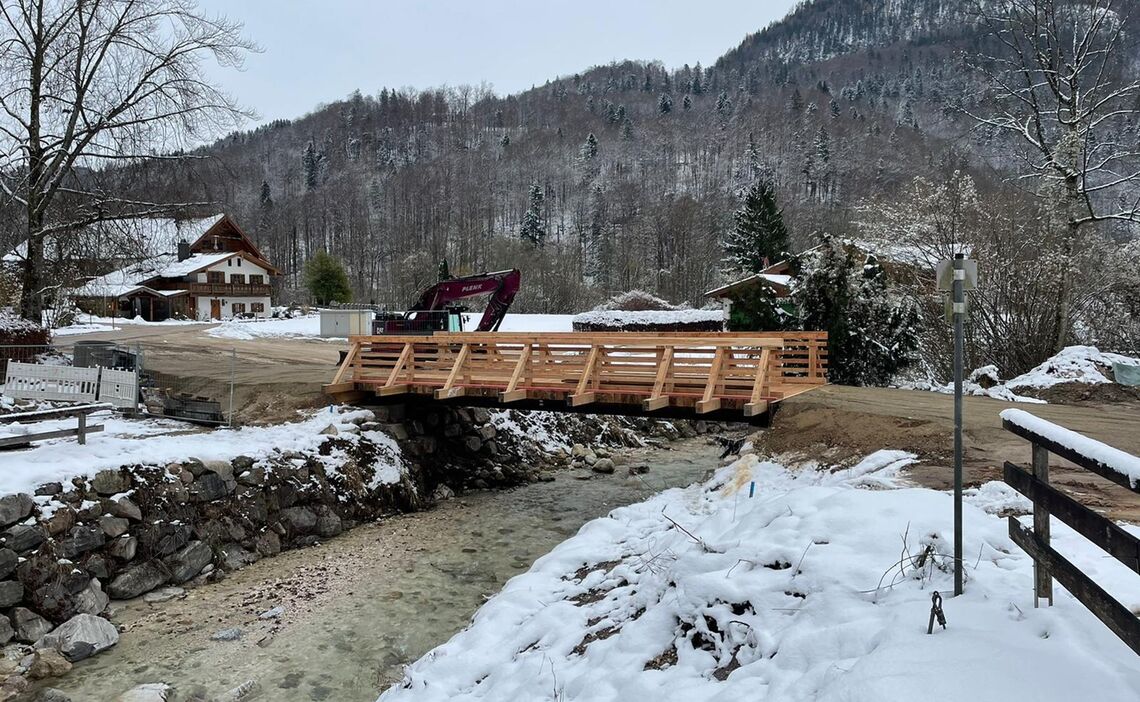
121	240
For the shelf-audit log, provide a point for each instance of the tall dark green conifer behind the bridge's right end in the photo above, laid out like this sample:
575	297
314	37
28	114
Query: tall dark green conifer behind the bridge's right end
760	236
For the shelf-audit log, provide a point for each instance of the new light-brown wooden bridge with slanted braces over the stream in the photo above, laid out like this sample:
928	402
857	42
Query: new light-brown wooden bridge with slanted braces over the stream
715	376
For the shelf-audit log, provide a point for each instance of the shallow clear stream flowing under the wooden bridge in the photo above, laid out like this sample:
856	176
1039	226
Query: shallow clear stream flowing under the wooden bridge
354	611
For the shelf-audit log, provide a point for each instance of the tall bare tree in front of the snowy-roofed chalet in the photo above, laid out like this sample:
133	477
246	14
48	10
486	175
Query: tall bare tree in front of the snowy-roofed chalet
87	84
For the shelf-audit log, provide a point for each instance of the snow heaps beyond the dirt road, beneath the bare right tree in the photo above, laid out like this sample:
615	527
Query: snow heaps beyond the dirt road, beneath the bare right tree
1072	365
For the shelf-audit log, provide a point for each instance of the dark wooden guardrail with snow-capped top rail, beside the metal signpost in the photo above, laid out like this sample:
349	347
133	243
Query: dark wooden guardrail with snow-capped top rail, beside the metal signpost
1105	461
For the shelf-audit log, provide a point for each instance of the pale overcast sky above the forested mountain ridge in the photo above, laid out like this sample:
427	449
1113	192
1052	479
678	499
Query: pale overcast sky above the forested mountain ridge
322	51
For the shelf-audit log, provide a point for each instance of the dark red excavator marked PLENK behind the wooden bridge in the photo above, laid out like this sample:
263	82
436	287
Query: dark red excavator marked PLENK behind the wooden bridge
436	309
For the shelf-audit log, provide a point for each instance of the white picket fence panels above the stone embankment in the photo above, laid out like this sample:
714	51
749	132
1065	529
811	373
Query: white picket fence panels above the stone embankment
70	385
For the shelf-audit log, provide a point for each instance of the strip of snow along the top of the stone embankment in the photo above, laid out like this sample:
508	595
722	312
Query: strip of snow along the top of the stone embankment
158	443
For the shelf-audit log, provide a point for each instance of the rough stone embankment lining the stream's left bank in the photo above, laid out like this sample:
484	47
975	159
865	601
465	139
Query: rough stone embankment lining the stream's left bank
71	549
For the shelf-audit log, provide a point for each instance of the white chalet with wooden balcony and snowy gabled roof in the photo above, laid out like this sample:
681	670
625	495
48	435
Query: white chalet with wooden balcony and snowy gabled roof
221	275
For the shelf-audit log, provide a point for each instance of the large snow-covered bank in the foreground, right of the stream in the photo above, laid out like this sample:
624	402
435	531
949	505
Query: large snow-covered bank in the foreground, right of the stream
812	591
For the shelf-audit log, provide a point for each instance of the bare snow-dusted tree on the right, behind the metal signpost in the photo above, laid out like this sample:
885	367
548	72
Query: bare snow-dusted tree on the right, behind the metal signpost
1065	87
